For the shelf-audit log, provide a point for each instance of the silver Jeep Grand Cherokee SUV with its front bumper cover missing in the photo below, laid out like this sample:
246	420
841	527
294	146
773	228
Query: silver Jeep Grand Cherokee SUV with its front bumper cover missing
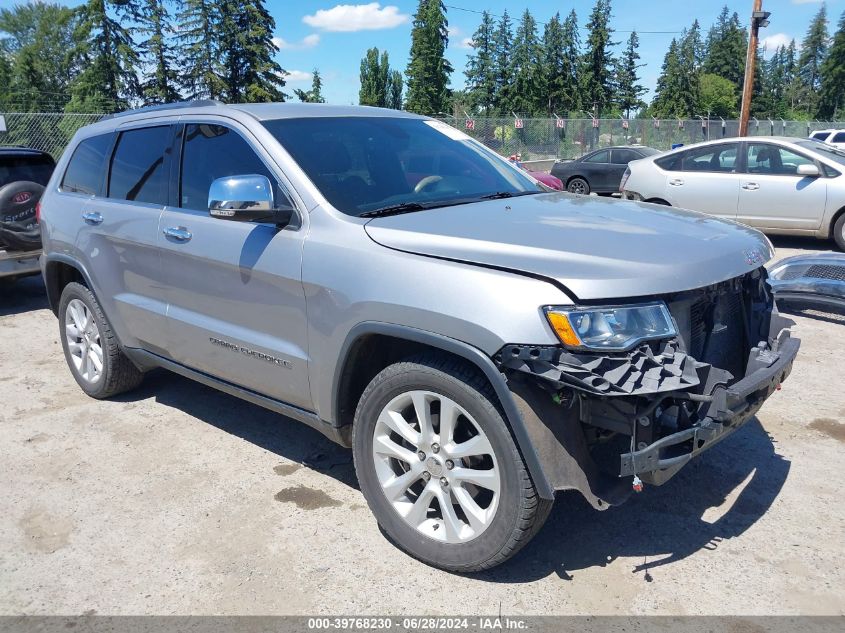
478	341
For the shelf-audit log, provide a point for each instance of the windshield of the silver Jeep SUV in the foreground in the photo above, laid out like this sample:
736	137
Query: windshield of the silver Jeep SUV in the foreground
365	164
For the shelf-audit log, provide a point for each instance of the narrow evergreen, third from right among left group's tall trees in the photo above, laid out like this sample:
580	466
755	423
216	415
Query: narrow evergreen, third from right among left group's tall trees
160	85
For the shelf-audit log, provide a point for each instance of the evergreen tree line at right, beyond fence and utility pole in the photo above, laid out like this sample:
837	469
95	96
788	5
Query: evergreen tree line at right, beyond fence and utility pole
523	71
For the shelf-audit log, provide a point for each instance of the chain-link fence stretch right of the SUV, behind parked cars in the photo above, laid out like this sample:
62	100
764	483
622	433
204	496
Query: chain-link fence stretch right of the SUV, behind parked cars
539	139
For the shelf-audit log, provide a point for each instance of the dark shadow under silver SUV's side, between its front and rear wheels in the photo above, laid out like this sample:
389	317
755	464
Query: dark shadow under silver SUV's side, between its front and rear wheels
271	431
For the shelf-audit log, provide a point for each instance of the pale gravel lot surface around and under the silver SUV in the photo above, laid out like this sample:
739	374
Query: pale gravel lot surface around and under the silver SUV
177	499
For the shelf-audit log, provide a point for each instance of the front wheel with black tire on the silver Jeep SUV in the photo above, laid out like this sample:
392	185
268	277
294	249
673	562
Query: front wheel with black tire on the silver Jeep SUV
439	467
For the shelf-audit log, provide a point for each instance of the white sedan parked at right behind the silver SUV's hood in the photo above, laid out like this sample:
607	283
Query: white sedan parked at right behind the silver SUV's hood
779	185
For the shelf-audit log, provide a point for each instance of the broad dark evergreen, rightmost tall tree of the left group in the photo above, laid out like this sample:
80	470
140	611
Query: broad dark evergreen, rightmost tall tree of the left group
251	73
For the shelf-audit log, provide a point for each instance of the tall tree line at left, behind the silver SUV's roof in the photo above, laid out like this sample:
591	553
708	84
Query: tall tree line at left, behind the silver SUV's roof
107	55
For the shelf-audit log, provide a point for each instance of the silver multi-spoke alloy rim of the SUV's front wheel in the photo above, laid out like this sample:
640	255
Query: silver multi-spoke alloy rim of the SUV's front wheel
436	466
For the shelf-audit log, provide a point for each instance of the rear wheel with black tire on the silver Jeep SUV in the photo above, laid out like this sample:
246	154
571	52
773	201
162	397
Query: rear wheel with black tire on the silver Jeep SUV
99	366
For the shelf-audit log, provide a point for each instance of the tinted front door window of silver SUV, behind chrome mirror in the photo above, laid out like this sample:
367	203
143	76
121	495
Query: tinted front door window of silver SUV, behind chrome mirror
214	151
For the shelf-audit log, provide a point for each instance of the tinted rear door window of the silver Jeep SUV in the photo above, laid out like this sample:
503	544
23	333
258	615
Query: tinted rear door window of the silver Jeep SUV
137	168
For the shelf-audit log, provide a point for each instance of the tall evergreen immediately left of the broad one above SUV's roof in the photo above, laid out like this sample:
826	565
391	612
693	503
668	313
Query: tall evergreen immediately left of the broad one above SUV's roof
199	49
